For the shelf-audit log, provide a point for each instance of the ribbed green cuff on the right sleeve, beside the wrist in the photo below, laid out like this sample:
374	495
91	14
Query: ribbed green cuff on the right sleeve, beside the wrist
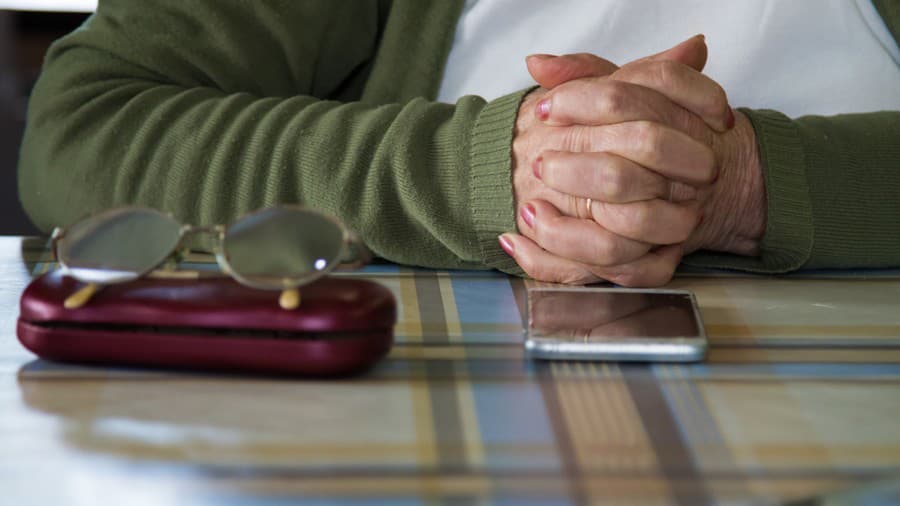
788	240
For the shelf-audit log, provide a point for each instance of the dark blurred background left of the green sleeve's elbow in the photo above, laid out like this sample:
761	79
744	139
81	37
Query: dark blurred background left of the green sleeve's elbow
25	36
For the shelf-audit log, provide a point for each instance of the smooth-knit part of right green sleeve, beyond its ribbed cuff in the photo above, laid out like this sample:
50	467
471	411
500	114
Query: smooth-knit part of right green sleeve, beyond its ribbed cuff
853	164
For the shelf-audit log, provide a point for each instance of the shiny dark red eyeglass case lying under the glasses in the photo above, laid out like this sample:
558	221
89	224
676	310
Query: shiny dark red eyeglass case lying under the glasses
342	326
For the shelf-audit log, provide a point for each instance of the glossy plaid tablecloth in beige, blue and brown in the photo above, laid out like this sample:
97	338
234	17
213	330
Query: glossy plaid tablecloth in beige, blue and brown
798	403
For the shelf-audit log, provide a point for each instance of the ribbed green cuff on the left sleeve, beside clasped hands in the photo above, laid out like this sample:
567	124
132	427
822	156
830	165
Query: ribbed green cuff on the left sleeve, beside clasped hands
490	179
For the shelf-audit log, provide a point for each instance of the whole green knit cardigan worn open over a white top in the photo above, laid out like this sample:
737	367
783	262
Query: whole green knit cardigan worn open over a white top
209	109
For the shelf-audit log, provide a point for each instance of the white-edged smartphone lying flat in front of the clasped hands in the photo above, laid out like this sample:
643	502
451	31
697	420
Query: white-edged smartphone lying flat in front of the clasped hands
614	324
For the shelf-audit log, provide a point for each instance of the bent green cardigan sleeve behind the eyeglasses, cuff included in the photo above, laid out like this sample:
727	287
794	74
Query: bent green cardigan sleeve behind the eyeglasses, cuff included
210	109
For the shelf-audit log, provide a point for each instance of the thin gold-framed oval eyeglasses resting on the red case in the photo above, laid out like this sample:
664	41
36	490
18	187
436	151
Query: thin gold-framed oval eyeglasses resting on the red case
277	248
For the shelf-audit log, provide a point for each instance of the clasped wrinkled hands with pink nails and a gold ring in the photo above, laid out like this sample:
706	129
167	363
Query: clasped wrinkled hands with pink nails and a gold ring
618	172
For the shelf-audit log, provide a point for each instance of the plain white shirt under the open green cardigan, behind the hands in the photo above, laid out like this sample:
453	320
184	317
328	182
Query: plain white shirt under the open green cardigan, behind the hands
795	56
